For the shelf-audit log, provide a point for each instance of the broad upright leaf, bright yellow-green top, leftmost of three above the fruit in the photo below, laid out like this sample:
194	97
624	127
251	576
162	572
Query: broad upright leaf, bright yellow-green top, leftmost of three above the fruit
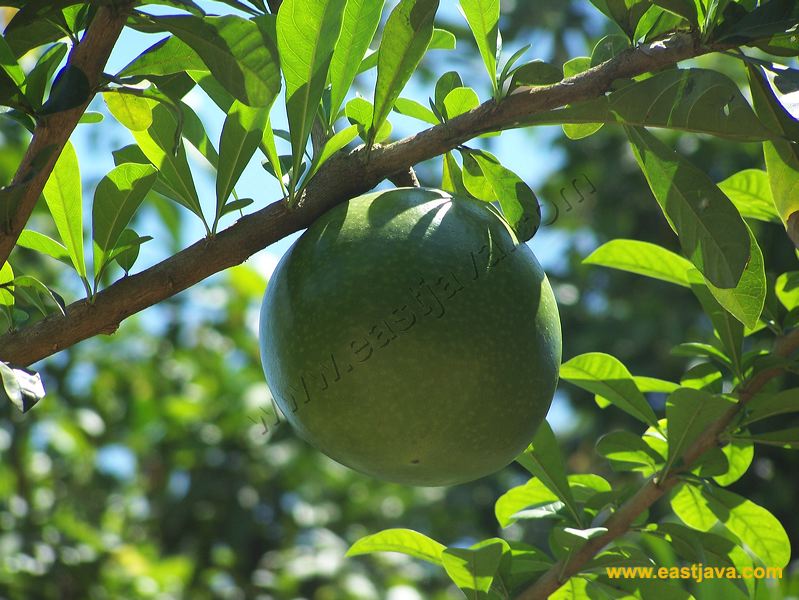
306	35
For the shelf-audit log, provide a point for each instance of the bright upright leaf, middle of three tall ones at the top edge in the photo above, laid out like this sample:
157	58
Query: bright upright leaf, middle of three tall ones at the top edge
361	18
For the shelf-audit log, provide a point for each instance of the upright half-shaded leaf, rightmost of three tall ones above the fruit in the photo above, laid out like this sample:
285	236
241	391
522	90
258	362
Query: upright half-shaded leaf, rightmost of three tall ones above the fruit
406	36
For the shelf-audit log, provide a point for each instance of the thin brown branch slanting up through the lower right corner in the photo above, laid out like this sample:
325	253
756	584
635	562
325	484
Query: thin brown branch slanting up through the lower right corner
653	490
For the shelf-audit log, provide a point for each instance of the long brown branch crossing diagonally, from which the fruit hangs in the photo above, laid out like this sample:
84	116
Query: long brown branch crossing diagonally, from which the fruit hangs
341	178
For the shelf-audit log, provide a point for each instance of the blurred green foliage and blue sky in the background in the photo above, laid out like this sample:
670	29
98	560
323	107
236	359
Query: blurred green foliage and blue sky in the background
154	468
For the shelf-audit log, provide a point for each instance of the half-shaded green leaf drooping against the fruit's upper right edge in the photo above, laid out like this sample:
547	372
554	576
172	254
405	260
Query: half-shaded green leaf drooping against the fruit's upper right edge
518	202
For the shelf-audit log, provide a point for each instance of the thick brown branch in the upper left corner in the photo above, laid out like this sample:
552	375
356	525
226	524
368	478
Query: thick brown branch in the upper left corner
53	130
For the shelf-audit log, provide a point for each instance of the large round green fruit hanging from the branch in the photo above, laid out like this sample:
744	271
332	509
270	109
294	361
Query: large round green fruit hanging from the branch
409	335
